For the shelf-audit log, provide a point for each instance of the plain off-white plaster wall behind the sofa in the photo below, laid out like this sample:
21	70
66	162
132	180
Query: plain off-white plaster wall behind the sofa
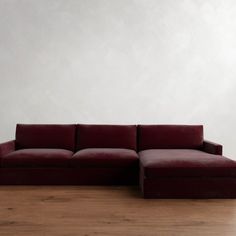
119	61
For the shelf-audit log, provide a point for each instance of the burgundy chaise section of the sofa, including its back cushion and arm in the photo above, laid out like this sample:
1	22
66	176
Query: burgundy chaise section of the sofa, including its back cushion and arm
175	162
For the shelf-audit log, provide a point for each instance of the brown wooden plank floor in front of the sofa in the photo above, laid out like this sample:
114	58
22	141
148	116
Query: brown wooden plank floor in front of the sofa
89	210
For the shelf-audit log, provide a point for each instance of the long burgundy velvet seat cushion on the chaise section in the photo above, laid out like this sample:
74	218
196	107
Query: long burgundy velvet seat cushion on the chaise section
184	163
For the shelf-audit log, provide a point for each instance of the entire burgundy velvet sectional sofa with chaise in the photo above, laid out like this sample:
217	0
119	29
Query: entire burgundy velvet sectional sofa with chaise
167	161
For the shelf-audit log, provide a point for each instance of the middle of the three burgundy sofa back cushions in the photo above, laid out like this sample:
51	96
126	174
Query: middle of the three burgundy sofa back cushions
106	136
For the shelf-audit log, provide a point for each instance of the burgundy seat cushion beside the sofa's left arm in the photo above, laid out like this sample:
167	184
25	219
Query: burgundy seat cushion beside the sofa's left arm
37	158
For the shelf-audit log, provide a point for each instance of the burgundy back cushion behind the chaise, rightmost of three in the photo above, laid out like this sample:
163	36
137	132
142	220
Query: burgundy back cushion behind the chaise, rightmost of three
170	136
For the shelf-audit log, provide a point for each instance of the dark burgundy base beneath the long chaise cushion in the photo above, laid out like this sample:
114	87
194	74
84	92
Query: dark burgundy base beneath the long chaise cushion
189	187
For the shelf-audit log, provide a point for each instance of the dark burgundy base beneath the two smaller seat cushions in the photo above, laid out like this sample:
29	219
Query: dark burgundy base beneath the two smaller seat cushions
68	176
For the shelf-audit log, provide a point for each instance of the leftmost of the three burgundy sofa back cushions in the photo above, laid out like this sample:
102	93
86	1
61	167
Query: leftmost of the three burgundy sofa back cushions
45	136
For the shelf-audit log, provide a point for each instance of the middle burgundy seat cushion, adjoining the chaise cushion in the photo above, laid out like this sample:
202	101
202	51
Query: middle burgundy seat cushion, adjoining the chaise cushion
105	157
